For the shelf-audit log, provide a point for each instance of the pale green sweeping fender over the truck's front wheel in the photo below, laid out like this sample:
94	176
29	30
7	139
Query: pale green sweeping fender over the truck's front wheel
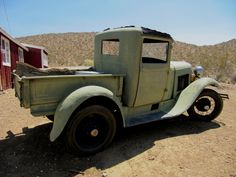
190	94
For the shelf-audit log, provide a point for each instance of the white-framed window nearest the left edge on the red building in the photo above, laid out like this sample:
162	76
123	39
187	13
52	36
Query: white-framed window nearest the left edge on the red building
6	61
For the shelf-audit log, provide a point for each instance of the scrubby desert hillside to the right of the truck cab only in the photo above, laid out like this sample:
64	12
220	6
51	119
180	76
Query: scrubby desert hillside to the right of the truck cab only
219	61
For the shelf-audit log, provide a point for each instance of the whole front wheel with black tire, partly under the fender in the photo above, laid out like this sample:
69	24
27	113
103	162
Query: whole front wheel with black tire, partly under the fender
207	106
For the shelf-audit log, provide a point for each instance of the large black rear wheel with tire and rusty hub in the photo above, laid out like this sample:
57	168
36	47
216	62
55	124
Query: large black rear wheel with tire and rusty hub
90	130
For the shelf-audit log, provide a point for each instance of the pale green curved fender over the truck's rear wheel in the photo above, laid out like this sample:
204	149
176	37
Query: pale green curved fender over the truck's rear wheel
74	100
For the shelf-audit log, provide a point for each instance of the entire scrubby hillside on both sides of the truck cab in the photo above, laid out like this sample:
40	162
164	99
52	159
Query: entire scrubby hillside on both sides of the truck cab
73	49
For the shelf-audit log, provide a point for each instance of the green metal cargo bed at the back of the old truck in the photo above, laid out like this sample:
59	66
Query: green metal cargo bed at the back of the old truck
42	93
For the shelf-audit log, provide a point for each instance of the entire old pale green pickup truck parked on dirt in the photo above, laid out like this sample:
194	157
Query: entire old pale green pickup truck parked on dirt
133	81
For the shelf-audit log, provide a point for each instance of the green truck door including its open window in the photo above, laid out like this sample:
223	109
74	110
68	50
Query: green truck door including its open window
153	76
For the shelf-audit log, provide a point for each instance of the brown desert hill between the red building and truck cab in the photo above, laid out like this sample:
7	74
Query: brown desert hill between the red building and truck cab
65	49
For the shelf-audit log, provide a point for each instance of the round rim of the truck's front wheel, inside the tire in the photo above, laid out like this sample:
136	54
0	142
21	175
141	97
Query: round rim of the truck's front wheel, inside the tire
204	106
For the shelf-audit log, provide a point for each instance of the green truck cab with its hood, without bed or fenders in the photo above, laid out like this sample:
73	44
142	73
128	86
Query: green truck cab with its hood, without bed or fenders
143	55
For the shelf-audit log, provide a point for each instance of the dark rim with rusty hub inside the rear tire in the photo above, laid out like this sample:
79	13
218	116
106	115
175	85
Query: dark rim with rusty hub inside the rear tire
92	131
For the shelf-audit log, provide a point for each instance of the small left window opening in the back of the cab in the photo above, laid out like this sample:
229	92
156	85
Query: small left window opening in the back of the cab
111	47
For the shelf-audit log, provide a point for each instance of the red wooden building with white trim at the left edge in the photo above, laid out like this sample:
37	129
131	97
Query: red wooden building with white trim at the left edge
12	51
